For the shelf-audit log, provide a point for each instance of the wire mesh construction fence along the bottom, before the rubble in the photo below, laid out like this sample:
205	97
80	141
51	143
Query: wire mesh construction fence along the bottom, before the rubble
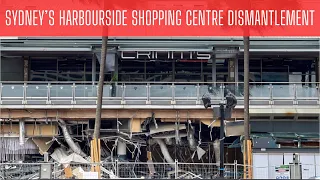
143	170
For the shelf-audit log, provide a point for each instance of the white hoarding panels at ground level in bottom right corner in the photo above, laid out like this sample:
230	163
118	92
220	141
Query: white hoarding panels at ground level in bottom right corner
265	163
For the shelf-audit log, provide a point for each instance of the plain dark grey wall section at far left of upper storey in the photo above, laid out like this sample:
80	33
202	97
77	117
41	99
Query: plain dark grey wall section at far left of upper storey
11	69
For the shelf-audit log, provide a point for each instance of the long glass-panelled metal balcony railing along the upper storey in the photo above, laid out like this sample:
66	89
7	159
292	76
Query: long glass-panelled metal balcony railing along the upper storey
155	93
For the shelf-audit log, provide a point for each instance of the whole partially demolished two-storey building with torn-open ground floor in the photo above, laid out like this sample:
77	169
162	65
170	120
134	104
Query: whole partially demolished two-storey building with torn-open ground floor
153	111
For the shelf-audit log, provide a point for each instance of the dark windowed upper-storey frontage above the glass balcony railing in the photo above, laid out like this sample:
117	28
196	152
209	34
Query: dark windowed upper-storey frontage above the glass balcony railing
165	59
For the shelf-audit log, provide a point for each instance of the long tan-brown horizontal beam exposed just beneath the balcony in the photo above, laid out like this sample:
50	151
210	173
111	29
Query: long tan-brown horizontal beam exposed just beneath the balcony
78	114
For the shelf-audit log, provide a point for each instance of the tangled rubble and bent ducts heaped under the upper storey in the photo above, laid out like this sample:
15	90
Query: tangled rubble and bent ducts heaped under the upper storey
70	160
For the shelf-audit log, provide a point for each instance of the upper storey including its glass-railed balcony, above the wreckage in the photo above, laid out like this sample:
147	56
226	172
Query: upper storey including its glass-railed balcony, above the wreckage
161	73
